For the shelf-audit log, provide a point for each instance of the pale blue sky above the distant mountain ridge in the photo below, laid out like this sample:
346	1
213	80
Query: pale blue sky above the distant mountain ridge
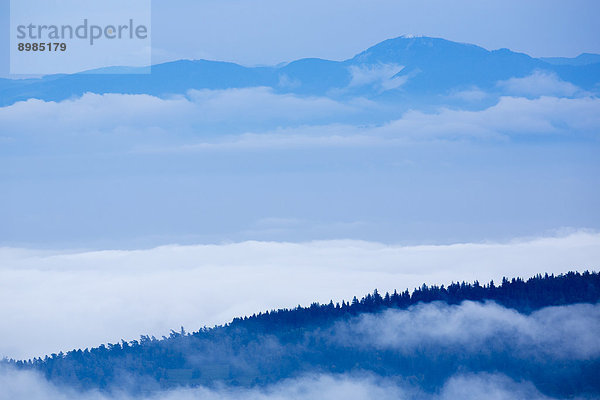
271	31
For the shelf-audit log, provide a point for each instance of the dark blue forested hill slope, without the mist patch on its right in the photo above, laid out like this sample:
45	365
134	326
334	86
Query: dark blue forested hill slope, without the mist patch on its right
271	346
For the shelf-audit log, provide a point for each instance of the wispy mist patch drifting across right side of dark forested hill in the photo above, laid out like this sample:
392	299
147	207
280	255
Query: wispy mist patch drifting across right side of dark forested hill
549	335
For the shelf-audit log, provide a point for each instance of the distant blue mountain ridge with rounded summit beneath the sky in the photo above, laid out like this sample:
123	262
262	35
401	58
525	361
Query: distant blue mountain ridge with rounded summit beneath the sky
422	66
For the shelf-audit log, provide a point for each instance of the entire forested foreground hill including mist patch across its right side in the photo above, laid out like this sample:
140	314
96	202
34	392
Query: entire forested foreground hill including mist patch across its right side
522	329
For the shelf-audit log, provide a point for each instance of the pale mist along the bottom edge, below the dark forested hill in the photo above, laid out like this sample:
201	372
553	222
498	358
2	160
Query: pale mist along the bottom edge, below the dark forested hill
25	385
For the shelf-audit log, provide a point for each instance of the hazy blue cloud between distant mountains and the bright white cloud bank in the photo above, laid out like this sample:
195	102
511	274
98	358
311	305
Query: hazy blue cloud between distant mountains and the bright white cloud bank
347	167
